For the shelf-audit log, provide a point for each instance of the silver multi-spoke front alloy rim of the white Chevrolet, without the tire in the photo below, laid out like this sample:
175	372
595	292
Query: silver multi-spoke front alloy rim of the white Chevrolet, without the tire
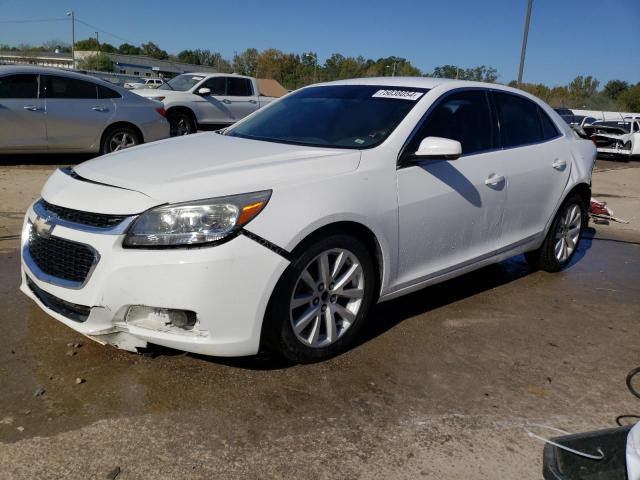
327	298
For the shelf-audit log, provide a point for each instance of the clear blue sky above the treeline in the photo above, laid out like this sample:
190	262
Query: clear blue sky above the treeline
566	38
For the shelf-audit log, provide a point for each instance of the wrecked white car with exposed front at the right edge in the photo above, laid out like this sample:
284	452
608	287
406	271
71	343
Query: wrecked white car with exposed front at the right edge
616	138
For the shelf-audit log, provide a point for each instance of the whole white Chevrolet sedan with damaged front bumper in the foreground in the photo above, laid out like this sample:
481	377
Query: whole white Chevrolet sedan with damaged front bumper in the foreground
282	232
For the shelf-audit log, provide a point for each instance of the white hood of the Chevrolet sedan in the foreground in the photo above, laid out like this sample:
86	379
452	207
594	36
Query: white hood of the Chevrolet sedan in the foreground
207	165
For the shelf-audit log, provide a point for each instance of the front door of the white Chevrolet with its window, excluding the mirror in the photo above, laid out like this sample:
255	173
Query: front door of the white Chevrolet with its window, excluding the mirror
450	212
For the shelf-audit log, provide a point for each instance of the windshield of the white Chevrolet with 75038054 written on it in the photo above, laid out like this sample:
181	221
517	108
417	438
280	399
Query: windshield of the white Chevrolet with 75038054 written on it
340	116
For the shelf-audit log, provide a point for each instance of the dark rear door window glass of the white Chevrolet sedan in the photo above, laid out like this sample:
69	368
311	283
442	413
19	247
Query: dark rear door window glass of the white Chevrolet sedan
519	120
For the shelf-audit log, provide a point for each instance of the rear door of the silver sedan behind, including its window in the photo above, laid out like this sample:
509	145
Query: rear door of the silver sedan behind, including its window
76	116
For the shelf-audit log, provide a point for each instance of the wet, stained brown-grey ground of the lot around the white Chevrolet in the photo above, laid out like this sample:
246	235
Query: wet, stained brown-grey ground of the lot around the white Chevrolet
439	387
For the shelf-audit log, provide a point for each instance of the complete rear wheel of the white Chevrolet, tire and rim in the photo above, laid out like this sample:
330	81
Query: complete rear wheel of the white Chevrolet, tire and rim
556	250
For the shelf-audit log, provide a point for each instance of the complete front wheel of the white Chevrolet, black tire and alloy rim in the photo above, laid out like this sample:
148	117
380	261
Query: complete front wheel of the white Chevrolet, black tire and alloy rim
332	320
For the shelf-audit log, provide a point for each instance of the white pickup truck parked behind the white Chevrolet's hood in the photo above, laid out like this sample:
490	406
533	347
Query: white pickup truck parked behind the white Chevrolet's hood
201	100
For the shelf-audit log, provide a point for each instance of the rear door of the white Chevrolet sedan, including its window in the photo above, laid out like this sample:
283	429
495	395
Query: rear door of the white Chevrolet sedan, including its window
537	161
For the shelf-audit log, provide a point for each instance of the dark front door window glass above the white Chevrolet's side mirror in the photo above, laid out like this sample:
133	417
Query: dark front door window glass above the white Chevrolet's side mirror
463	116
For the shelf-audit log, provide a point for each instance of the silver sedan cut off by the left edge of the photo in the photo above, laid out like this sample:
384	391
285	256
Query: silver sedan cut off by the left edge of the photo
48	110
